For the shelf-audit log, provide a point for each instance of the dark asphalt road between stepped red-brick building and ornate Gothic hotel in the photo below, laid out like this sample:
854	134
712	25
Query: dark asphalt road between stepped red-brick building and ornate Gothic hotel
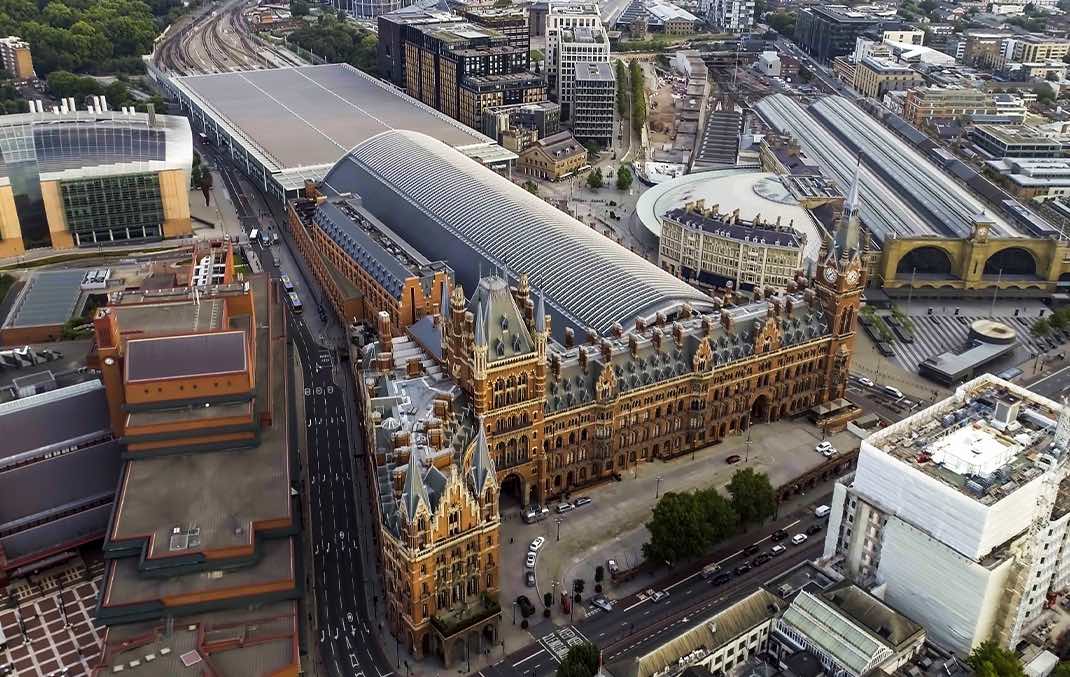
347	636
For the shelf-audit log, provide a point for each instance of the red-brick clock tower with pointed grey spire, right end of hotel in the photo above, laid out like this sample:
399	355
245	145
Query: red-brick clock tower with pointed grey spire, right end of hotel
839	282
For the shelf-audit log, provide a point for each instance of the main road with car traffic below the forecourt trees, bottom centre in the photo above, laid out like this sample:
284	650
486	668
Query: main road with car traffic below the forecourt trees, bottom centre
637	625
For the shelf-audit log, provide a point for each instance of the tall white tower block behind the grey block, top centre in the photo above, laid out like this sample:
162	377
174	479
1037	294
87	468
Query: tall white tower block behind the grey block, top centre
574	34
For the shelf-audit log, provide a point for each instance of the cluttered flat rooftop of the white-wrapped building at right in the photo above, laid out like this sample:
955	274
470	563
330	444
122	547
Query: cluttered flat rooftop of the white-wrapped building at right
986	442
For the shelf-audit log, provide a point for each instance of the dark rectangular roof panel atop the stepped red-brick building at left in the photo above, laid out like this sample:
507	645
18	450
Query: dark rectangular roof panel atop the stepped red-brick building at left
192	356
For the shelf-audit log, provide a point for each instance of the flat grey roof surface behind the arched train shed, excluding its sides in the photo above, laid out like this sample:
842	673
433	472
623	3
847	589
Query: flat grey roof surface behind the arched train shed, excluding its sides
313	116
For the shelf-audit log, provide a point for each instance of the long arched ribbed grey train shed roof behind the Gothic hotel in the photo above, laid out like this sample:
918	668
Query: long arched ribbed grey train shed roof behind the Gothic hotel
451	208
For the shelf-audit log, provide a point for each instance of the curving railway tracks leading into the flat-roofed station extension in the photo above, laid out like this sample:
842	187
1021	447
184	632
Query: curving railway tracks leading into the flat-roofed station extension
219	42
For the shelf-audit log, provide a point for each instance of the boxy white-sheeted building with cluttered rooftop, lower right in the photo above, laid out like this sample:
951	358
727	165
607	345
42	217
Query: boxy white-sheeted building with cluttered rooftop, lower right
958	513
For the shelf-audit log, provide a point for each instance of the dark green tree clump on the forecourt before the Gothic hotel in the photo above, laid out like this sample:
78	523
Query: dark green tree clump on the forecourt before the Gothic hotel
686	526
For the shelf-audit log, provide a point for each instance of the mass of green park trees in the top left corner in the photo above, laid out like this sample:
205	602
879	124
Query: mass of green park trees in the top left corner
87	36
